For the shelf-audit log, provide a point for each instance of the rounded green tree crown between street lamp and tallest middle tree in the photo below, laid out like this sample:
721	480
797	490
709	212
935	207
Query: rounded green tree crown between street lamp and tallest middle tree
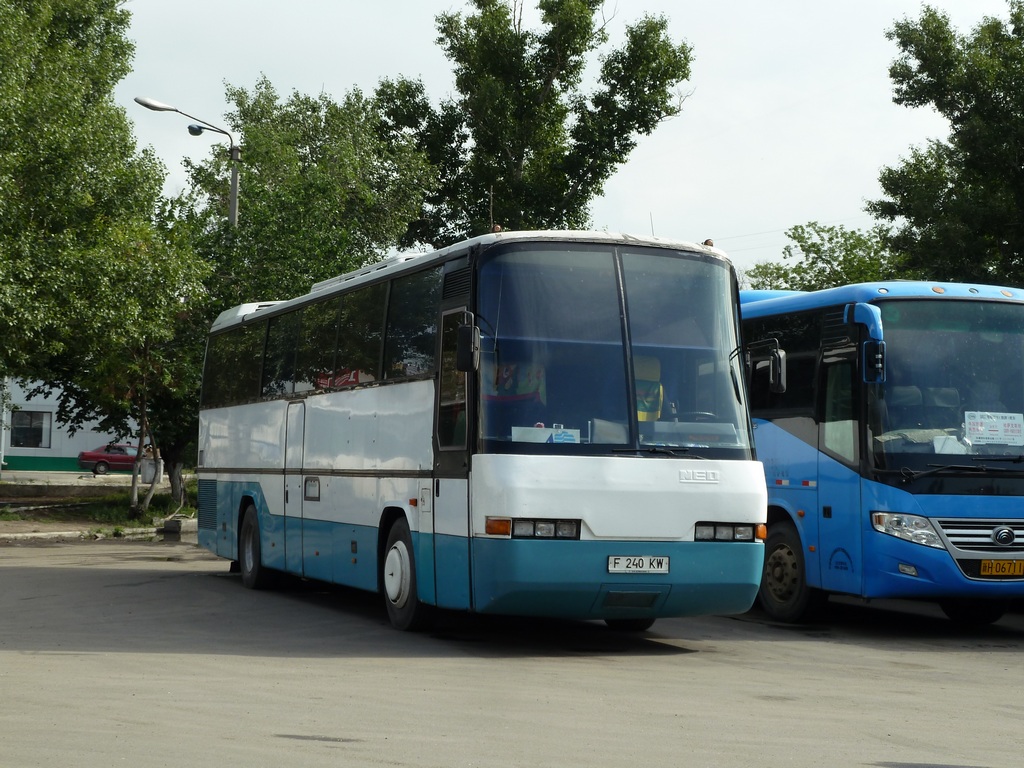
321	194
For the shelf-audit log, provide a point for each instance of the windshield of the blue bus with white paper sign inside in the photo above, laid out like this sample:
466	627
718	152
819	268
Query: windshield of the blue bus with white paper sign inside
955	385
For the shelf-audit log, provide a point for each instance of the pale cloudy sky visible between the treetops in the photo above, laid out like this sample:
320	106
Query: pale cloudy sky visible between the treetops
788	117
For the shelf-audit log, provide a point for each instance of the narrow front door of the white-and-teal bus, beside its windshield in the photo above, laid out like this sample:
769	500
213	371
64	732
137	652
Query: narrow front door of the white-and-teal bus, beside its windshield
452	438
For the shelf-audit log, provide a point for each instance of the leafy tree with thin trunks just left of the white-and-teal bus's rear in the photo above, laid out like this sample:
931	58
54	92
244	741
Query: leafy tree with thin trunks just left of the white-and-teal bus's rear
135	369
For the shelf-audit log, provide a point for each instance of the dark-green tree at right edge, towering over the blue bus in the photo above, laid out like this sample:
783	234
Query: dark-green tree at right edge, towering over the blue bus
958	206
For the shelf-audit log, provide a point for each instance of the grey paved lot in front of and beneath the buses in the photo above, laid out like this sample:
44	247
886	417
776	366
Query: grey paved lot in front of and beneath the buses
153	655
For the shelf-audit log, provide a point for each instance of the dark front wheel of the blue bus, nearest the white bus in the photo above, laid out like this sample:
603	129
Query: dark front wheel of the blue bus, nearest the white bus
785	595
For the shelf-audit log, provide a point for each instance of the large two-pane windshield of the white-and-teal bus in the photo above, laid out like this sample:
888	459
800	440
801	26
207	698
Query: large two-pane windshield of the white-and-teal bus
591	348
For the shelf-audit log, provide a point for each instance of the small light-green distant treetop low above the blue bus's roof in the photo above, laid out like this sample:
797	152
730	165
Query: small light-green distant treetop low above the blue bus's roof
827	257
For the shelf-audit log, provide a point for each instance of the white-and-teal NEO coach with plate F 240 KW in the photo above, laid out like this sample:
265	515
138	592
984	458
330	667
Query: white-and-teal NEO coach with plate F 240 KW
527	423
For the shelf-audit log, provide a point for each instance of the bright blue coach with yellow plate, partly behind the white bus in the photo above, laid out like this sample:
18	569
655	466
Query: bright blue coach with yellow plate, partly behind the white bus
894	453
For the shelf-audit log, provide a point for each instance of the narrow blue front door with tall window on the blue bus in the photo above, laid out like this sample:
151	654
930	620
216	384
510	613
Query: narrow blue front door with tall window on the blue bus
839	480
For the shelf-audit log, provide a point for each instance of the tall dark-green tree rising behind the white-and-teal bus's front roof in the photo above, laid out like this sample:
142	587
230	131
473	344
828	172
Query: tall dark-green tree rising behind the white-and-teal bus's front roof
521	145
